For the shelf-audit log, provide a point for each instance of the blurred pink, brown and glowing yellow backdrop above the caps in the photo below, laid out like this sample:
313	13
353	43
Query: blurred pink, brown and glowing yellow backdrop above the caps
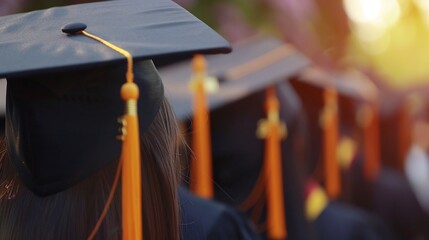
386	38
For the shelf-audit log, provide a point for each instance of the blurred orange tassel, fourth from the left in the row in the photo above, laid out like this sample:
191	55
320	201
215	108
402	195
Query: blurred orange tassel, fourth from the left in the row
329	122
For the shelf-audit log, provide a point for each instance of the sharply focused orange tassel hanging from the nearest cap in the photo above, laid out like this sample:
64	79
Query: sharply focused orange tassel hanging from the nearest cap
131	169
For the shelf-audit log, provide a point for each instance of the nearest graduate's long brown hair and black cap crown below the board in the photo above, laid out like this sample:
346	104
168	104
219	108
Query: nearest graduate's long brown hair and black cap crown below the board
62	156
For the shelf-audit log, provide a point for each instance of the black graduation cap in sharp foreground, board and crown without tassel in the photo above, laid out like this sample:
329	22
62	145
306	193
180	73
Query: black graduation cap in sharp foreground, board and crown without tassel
63	89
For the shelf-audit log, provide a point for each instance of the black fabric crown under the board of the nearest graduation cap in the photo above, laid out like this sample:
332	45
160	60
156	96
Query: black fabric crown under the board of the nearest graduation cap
60	128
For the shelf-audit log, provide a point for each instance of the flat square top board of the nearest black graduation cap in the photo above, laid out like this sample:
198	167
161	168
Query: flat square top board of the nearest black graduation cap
33	43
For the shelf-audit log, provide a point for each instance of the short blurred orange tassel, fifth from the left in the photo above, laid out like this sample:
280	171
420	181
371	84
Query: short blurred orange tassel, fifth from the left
369	122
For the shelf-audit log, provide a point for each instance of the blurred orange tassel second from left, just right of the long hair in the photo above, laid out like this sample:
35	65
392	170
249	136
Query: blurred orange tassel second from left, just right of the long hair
201	168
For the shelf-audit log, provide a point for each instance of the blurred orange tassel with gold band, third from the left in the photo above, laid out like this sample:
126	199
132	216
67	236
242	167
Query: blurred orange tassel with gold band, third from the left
273	131
